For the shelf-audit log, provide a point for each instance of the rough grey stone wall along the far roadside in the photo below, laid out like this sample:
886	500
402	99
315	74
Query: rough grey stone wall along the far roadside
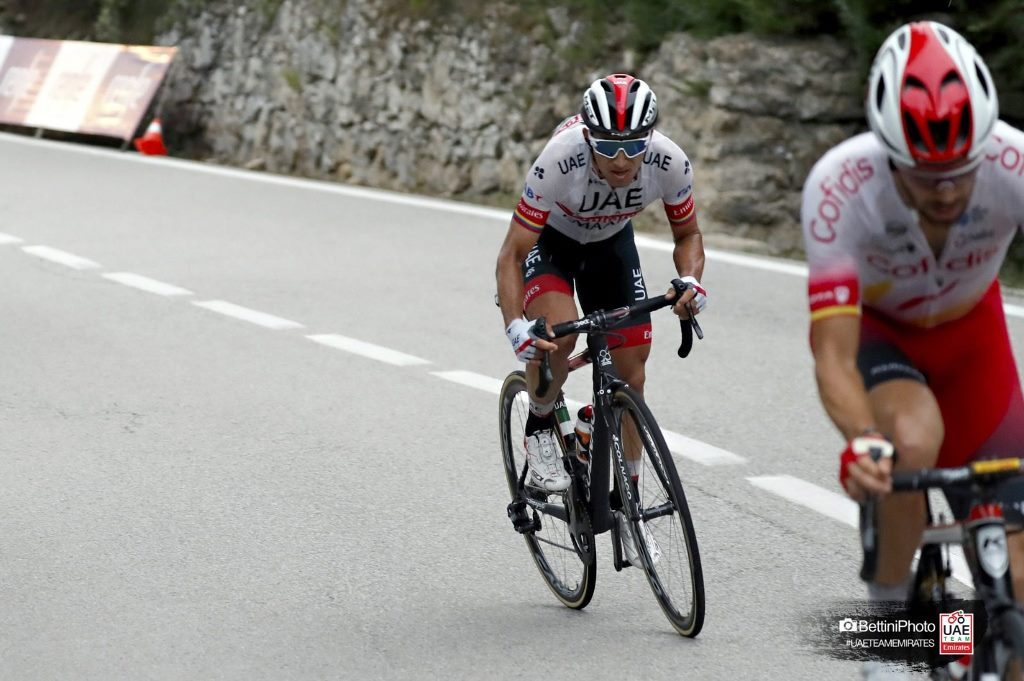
349	92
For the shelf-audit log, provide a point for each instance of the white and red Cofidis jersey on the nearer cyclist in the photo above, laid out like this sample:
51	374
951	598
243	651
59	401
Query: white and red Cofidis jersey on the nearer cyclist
865	246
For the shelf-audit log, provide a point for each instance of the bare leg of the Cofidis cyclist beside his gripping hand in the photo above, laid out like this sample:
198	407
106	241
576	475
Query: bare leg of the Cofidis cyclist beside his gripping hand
907	412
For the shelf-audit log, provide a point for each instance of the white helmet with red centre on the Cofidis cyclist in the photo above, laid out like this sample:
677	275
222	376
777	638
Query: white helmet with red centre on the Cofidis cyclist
931	100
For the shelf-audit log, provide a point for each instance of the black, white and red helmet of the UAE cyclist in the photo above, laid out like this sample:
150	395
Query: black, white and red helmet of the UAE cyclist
620	106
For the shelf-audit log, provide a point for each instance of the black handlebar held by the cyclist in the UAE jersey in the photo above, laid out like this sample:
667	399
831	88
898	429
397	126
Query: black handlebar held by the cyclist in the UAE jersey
600	321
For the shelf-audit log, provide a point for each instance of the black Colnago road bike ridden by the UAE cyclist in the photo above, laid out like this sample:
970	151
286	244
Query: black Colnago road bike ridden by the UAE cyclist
561	528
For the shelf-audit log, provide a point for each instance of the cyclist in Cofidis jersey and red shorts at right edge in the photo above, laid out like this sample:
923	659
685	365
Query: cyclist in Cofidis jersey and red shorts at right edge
906	229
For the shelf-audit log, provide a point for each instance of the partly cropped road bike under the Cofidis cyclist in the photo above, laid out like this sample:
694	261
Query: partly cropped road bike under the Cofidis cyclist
1000	654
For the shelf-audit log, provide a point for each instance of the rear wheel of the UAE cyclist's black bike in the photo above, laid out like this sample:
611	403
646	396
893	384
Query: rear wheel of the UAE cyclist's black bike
550	542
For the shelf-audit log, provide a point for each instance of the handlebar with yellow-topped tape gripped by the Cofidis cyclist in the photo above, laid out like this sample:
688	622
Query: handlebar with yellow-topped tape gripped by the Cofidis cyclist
984	474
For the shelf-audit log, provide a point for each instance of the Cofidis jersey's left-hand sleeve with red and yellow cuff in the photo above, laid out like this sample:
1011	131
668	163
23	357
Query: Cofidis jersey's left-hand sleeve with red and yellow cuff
830	235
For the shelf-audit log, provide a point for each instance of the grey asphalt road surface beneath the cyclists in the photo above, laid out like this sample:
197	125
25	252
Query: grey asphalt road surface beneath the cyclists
191	495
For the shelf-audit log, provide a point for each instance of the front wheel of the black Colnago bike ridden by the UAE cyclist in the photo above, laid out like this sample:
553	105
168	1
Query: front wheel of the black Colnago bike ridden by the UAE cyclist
675	576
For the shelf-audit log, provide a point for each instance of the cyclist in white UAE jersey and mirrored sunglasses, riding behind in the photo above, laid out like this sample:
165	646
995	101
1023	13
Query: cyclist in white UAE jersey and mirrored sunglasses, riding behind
572	229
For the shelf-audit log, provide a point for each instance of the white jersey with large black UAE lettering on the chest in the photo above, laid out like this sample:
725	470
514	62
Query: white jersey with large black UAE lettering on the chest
565	192
